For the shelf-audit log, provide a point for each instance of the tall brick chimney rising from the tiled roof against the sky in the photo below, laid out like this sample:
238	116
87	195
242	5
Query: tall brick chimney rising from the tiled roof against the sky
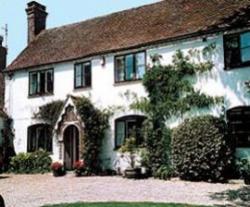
36	19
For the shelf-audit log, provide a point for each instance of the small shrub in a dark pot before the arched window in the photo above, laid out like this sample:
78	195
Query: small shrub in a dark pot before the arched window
129	150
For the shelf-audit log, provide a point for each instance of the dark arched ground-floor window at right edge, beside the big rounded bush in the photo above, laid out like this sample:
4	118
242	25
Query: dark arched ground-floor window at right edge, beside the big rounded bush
238	123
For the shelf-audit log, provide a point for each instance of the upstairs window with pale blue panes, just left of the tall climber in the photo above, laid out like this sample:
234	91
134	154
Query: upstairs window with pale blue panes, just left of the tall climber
130	67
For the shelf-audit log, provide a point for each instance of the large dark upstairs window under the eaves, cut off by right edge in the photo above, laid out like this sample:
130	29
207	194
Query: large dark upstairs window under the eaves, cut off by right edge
237	50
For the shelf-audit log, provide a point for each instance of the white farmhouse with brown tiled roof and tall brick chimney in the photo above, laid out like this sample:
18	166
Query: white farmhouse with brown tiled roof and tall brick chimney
106	57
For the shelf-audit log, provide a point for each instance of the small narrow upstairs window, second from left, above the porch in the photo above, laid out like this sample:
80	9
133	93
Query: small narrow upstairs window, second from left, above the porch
82	75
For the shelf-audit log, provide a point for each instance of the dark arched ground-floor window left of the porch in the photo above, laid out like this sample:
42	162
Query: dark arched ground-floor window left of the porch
39	137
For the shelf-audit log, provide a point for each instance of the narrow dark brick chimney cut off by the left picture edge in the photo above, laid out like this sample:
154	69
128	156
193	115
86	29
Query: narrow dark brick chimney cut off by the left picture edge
3	57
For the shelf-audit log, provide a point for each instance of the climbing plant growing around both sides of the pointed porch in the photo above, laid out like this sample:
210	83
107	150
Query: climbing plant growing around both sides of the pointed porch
95	123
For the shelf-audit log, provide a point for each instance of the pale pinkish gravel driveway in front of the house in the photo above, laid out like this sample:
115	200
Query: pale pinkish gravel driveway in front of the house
37	190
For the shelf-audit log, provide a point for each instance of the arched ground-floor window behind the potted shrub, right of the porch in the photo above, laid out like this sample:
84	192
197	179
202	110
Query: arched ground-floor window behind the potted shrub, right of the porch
128	126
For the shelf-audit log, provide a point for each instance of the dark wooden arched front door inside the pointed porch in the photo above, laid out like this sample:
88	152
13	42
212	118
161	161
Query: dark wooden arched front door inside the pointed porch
71	146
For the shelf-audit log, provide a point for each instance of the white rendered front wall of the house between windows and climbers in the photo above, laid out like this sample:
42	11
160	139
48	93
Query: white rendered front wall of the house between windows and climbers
104	92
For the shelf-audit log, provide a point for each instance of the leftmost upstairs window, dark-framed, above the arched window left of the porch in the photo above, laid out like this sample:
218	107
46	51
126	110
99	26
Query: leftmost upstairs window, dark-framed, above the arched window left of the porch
41	82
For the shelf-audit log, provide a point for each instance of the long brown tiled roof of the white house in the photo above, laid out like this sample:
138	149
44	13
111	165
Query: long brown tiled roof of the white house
149	24
